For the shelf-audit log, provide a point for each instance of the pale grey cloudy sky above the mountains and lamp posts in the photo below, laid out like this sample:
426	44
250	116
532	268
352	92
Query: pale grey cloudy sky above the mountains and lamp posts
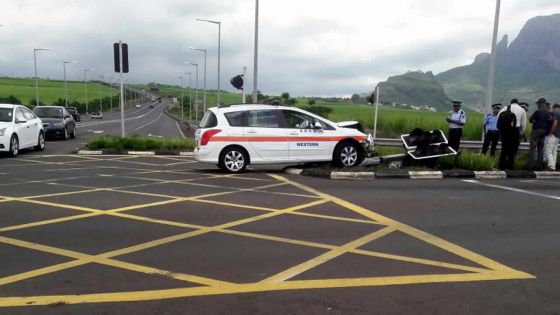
307	47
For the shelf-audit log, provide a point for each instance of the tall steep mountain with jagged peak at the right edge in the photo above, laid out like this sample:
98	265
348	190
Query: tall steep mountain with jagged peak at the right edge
527	69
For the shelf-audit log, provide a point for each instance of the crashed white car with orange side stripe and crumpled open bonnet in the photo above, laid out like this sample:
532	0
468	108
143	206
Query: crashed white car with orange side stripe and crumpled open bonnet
235	136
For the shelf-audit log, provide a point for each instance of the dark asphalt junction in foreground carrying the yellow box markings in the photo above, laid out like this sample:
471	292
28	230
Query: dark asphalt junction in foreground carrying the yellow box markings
165	235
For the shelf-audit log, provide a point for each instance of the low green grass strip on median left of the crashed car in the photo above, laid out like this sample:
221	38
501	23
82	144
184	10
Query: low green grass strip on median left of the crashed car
138	143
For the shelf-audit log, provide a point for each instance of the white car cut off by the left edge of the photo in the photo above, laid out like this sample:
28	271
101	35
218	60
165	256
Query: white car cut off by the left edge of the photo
20	128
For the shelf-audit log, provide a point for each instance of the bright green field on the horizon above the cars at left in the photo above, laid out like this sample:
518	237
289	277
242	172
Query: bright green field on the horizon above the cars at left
52	90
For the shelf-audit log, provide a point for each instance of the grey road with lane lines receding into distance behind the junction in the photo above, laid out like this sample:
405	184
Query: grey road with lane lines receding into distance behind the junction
142	121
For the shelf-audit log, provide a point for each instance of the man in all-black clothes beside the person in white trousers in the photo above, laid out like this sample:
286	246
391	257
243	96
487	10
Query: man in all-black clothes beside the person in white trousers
542	121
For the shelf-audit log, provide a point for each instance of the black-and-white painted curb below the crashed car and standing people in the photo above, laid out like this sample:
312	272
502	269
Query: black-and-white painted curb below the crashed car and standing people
451	174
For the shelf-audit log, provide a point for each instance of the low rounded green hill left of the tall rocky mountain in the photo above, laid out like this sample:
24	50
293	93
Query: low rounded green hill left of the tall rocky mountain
414	88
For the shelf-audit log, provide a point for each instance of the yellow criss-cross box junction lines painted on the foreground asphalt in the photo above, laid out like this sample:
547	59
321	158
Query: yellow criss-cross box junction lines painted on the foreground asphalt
488	270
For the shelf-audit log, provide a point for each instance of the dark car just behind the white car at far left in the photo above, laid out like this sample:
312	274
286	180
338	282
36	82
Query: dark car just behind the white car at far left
57	122
